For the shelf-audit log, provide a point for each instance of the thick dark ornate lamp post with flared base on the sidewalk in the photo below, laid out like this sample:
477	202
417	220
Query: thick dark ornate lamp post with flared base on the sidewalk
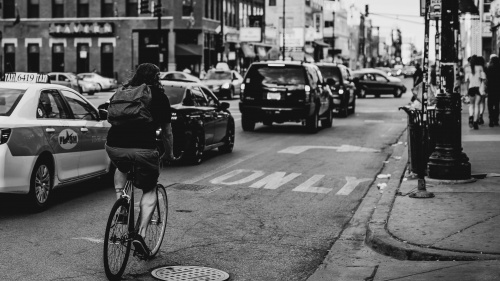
448	162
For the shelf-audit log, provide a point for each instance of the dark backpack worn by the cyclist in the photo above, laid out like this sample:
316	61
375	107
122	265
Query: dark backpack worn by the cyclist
130	106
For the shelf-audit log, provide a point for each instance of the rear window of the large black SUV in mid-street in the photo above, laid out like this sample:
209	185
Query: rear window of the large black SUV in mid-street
270	75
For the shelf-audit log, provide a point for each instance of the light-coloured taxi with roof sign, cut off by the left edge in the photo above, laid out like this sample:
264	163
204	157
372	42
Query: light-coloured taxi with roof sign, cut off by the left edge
50	136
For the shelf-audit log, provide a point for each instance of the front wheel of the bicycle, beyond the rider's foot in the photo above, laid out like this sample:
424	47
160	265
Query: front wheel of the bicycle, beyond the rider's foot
158	223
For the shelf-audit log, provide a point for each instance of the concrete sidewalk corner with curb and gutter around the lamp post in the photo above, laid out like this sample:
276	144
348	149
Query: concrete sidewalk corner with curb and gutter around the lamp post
453	236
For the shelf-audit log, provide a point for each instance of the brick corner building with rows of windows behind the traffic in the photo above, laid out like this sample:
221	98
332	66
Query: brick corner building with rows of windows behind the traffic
113	37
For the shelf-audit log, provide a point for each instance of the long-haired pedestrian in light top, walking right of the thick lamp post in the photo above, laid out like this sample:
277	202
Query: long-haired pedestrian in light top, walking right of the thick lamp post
473	78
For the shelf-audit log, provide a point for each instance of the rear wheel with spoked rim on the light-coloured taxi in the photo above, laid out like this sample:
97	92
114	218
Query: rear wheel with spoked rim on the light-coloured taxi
40	185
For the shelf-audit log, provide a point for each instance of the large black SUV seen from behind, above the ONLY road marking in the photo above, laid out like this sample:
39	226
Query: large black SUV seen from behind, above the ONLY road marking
285	91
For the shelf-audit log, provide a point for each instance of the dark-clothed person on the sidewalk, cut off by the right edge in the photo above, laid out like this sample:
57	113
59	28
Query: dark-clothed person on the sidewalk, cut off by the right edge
493	87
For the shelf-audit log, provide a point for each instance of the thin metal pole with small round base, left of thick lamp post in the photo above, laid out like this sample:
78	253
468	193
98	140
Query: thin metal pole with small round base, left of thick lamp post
422	192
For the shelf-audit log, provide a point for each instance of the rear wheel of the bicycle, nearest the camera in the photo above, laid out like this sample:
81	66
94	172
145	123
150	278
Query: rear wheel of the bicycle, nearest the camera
117	242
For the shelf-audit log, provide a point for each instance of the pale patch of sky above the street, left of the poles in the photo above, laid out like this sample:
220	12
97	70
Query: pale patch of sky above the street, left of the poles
404	14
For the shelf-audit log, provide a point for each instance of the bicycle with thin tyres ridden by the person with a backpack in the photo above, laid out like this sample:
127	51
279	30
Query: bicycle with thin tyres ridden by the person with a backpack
123	226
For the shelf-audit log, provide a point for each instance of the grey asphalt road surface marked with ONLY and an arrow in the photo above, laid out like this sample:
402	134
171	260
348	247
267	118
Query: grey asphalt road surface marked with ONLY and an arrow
268	211
